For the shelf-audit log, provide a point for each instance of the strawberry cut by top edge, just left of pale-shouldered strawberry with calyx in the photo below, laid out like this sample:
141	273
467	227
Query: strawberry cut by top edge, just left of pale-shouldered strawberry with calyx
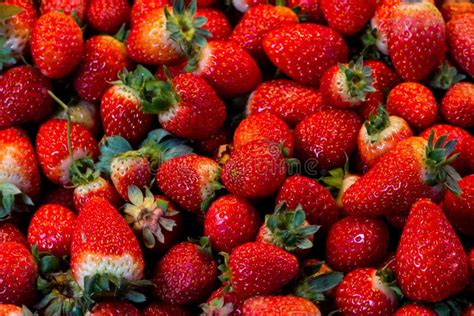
103	19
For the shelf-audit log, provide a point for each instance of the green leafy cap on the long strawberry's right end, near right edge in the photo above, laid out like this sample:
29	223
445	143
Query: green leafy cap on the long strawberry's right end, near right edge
439	156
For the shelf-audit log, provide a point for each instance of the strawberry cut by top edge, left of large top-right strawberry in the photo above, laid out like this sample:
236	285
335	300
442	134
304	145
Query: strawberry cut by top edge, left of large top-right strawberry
350	17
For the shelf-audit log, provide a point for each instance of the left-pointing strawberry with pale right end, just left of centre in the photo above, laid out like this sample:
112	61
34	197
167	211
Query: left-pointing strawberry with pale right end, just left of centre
190	181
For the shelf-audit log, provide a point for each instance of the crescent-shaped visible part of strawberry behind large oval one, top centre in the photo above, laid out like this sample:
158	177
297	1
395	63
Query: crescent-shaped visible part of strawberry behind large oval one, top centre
256	23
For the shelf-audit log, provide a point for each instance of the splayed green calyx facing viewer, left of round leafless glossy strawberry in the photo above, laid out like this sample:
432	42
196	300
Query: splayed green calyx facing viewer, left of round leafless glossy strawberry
288	230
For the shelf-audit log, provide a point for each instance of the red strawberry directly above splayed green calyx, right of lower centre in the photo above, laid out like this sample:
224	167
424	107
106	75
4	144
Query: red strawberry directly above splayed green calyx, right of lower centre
316	200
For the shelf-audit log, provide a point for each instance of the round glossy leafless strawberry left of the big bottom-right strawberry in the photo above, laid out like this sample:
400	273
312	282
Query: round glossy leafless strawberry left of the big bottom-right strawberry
356	242
